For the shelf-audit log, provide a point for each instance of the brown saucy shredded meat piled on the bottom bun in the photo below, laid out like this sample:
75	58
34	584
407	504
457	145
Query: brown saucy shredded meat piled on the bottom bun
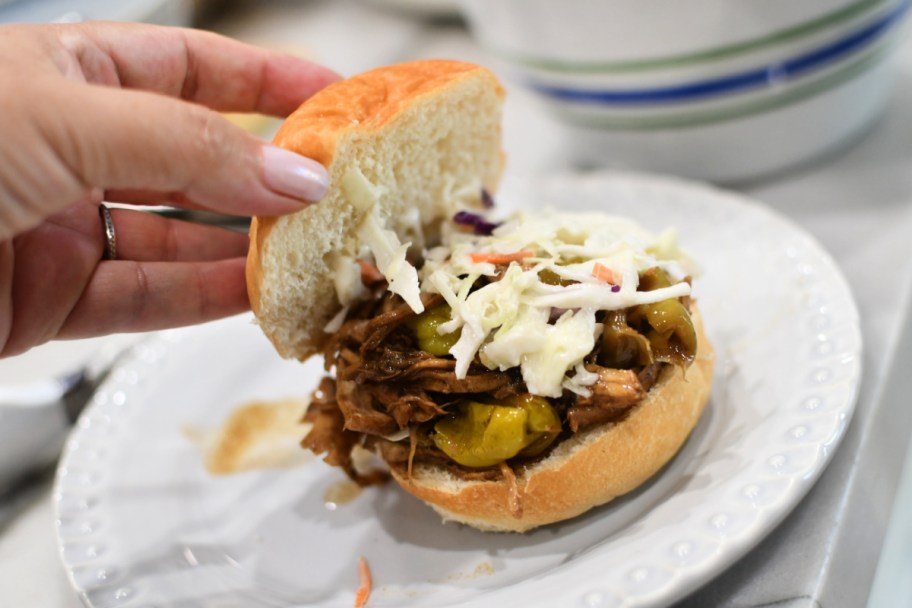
385	384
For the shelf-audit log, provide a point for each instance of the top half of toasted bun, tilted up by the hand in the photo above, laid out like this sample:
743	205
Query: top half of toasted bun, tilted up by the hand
419	132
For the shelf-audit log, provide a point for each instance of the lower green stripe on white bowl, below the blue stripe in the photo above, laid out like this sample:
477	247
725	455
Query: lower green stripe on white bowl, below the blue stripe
735	112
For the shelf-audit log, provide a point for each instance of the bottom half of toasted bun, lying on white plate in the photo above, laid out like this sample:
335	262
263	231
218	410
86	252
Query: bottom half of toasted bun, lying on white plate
588	469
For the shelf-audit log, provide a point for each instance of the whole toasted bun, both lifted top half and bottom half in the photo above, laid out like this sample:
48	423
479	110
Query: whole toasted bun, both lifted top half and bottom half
420	132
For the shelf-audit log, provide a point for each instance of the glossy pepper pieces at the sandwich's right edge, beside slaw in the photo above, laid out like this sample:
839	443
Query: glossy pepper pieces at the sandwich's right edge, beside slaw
671	333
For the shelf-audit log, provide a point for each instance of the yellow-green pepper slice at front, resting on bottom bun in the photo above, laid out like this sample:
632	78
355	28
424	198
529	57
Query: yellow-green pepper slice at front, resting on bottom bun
483	434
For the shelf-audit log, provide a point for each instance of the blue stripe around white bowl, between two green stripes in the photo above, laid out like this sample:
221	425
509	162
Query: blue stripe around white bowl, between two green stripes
774	73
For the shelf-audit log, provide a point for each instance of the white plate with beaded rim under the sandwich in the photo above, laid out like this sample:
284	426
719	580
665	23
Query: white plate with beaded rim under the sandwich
142	524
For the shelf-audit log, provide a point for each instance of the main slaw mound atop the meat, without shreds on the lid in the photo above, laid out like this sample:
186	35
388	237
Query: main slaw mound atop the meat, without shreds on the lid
509	322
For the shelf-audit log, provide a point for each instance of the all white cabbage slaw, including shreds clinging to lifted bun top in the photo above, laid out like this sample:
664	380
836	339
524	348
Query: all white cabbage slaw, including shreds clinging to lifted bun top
539	314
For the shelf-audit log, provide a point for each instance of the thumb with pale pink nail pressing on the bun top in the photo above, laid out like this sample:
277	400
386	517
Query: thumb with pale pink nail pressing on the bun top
134	140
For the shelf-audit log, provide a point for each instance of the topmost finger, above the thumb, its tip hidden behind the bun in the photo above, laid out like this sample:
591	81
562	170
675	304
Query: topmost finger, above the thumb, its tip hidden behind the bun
194	65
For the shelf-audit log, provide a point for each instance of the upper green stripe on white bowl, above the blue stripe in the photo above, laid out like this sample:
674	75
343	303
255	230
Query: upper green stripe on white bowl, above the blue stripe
724	52
